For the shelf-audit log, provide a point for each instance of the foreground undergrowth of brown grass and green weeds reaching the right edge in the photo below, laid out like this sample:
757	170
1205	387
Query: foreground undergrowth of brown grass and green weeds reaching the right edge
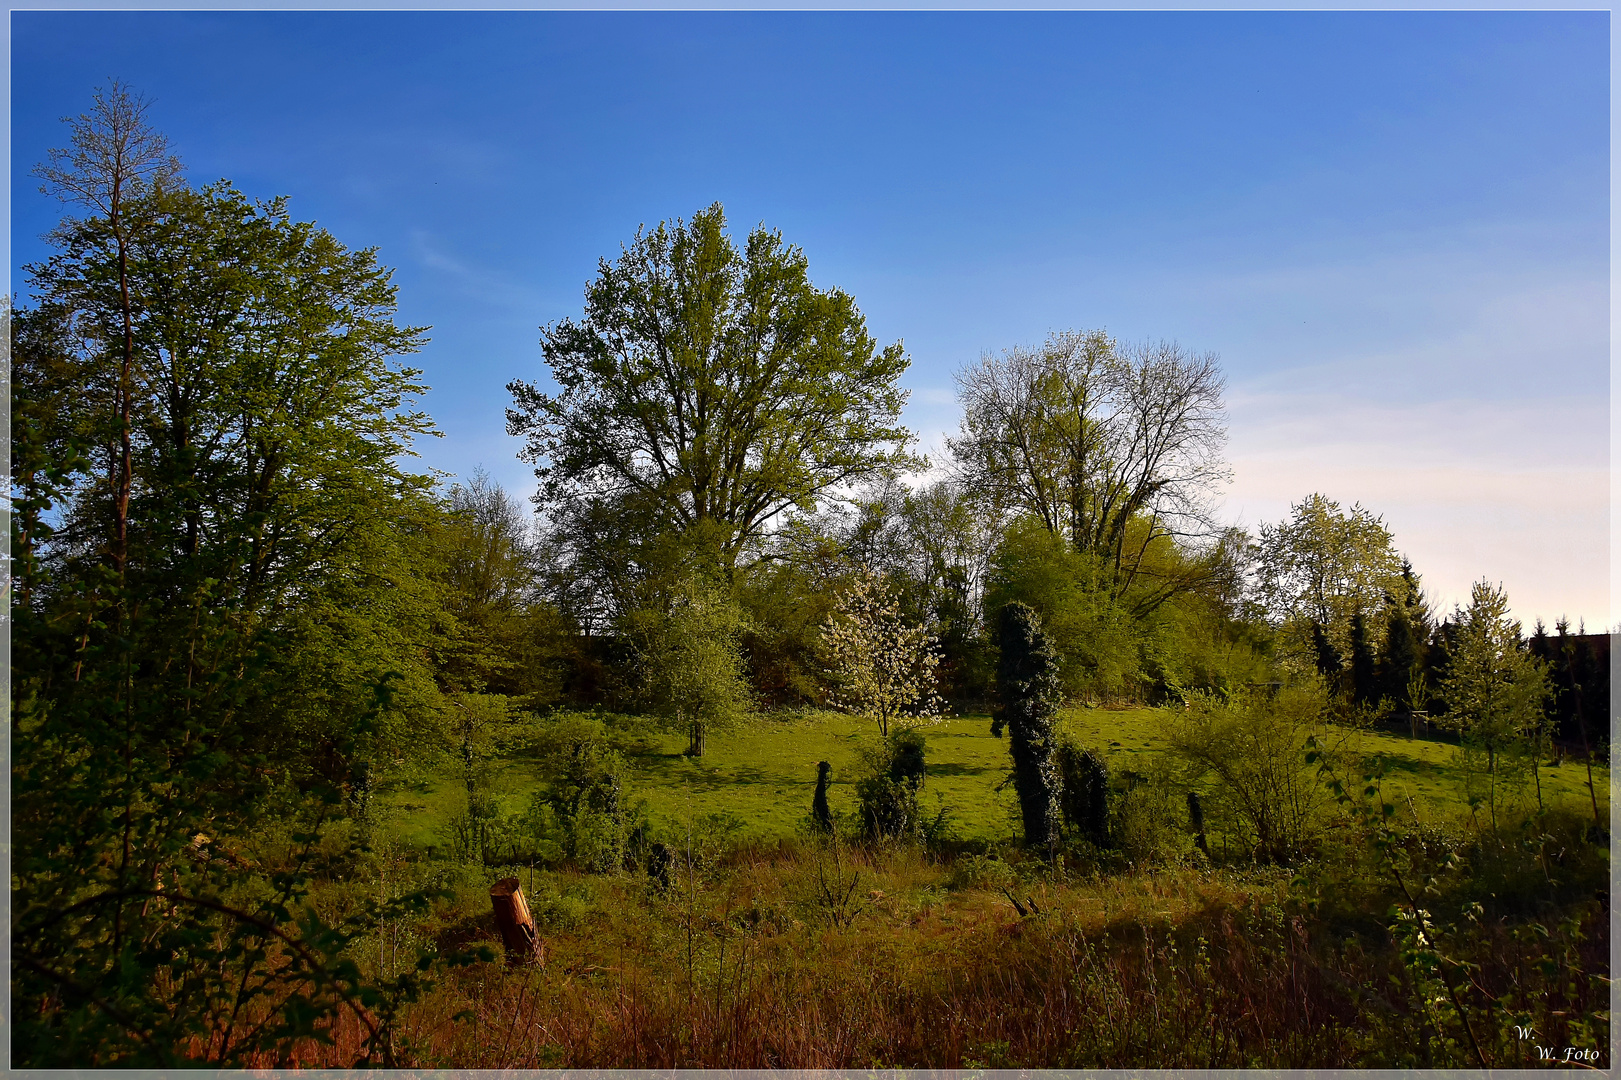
834	956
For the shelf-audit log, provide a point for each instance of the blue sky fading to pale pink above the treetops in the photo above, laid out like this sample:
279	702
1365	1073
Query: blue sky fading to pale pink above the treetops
1393	228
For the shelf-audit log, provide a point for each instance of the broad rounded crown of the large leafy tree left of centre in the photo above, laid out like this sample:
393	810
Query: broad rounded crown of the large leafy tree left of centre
706	390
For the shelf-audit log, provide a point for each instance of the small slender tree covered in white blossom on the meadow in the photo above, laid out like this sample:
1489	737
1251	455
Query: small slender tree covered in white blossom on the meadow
884	666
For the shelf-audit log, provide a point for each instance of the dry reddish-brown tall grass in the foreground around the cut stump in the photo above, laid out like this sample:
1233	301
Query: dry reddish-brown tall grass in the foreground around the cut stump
743	966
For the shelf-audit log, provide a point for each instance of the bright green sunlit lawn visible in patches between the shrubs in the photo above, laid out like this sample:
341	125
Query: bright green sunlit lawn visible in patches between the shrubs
766	774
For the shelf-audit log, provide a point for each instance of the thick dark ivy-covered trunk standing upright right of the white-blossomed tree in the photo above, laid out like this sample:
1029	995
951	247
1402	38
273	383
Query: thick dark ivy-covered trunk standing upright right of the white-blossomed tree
1030	695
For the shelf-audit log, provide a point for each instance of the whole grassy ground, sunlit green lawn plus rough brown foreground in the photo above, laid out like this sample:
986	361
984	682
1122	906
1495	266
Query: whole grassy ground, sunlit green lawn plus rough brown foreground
772	948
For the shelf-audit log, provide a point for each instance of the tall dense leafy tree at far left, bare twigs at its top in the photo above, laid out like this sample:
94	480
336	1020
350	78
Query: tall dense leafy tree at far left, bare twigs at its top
223	607
